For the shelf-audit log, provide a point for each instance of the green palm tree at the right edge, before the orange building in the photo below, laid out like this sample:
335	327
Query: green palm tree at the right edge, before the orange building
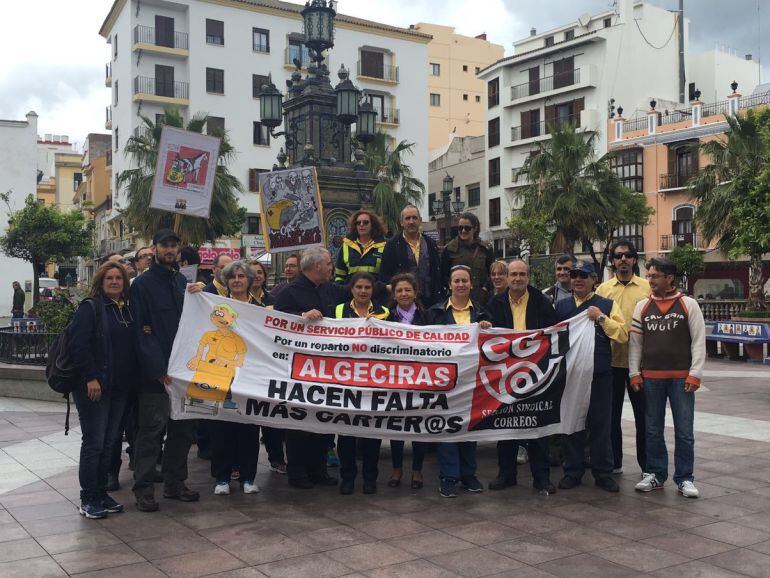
733	195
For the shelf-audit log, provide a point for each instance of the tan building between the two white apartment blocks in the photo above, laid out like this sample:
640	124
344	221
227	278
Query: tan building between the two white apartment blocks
455	94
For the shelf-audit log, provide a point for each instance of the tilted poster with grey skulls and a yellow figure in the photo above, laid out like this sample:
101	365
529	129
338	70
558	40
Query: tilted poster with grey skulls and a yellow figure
290	202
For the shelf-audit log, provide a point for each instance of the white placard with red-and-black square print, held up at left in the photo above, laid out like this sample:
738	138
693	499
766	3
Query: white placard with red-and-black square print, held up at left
184	173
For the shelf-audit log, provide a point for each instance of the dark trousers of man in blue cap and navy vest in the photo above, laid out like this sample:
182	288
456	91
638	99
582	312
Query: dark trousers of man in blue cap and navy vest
598	422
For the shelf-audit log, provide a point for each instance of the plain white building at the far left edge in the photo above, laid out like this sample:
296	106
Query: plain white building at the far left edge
18	177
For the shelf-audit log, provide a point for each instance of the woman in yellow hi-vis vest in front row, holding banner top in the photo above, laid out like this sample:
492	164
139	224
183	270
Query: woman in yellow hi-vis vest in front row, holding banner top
362	287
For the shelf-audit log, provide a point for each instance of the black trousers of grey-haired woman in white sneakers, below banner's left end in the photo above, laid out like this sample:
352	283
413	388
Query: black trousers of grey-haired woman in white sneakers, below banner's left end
233	444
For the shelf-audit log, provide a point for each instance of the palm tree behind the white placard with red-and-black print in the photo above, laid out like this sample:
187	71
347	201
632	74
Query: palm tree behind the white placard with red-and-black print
226	217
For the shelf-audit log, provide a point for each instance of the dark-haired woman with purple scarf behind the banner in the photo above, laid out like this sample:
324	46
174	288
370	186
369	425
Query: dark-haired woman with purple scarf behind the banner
406	309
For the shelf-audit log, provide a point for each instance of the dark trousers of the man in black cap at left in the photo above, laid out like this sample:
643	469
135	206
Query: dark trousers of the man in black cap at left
154	409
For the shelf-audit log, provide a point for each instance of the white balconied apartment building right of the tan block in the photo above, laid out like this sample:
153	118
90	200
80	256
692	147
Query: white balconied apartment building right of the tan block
581	73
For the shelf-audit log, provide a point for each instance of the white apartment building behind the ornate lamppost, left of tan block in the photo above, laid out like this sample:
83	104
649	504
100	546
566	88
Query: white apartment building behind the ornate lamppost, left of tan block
213	56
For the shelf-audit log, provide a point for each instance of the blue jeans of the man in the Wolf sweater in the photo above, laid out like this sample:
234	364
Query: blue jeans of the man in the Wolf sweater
656	392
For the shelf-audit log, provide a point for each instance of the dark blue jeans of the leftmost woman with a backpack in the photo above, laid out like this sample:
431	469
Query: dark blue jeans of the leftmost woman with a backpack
100	424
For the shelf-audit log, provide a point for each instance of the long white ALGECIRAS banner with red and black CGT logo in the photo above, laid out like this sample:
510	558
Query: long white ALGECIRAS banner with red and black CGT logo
364	377
